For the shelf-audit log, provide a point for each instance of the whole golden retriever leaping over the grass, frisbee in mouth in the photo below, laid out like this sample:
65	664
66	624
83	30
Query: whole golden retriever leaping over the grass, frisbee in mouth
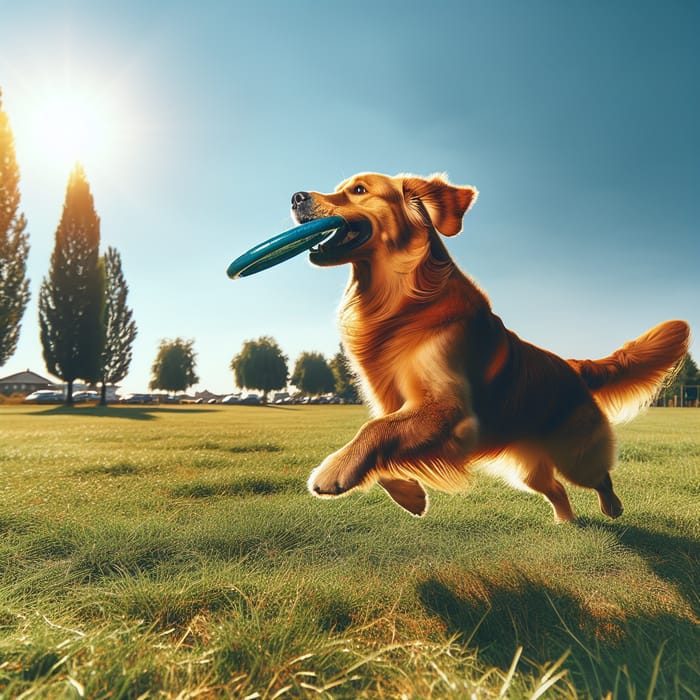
449	387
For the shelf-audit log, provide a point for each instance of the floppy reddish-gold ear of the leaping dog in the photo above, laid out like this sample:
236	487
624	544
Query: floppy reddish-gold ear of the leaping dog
445	204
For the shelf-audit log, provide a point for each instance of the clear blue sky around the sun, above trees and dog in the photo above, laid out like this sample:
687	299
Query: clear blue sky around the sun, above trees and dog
577	121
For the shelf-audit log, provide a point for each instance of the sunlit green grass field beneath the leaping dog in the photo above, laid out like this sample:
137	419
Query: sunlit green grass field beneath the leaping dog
173	552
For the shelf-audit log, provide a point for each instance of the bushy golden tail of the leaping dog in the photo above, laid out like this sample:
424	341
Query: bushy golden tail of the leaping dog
627	381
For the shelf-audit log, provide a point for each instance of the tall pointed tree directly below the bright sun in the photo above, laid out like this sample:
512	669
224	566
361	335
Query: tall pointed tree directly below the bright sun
71	299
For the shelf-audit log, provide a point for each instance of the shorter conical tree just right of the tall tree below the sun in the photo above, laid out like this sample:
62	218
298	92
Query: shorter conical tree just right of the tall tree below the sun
120	327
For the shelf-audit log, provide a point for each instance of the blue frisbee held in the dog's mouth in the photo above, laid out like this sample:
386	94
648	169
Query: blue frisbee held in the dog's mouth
284	246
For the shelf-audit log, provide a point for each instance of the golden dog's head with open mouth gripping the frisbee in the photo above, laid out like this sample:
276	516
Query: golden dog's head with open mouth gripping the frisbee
385	215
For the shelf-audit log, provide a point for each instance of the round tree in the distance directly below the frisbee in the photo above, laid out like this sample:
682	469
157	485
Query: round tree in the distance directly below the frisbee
260	365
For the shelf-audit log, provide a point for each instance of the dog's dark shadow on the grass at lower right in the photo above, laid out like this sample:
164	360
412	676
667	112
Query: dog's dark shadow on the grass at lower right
497	618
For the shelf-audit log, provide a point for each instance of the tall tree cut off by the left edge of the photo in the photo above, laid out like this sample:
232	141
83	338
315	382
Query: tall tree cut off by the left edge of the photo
14	245
